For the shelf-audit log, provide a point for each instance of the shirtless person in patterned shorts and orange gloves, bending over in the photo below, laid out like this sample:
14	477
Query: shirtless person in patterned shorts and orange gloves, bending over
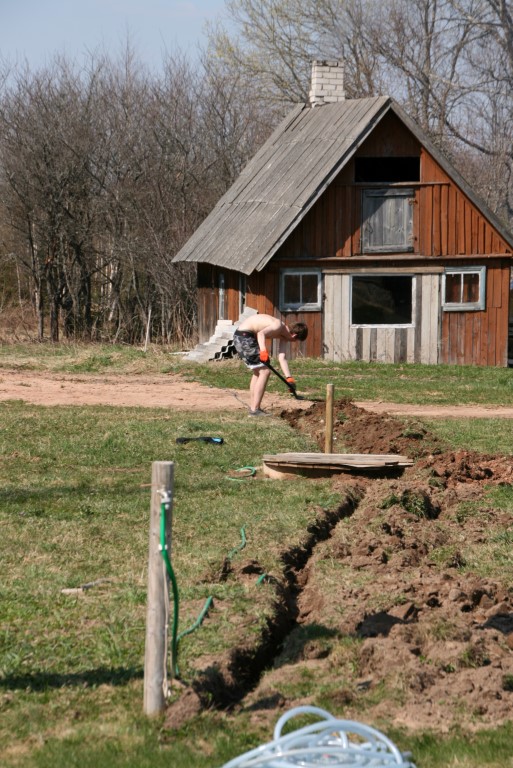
250	342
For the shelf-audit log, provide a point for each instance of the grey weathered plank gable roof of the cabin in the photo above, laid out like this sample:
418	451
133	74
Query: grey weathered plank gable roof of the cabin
288	175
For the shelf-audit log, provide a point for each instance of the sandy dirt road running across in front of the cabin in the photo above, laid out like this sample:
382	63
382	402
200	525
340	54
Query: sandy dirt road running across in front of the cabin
171	391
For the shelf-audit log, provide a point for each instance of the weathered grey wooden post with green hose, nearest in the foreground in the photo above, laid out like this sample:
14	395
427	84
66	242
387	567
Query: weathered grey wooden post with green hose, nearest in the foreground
155	657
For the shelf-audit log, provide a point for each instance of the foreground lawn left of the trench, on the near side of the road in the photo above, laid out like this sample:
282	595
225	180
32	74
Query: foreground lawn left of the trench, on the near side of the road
74	508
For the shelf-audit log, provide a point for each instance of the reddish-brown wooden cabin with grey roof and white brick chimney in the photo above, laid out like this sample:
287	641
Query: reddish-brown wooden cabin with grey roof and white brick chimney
351	220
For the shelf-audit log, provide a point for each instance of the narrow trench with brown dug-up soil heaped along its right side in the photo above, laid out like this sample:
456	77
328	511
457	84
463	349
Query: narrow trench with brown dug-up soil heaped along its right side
402	630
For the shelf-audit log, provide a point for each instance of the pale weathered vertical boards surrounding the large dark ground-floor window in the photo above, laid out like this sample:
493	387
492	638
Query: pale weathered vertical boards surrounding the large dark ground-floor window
418	343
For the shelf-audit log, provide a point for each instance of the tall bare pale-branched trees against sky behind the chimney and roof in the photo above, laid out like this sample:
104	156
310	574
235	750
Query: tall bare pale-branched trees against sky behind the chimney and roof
448	62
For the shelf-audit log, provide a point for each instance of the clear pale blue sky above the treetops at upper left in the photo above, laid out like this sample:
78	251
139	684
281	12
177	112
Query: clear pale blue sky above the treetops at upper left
36	30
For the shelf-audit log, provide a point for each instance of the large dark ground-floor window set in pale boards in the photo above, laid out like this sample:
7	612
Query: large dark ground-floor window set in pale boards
382	299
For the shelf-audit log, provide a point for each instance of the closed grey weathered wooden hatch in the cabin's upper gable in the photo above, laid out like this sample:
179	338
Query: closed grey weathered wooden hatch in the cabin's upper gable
387	220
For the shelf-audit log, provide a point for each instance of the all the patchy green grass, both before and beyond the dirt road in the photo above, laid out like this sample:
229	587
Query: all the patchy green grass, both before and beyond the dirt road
75	510
